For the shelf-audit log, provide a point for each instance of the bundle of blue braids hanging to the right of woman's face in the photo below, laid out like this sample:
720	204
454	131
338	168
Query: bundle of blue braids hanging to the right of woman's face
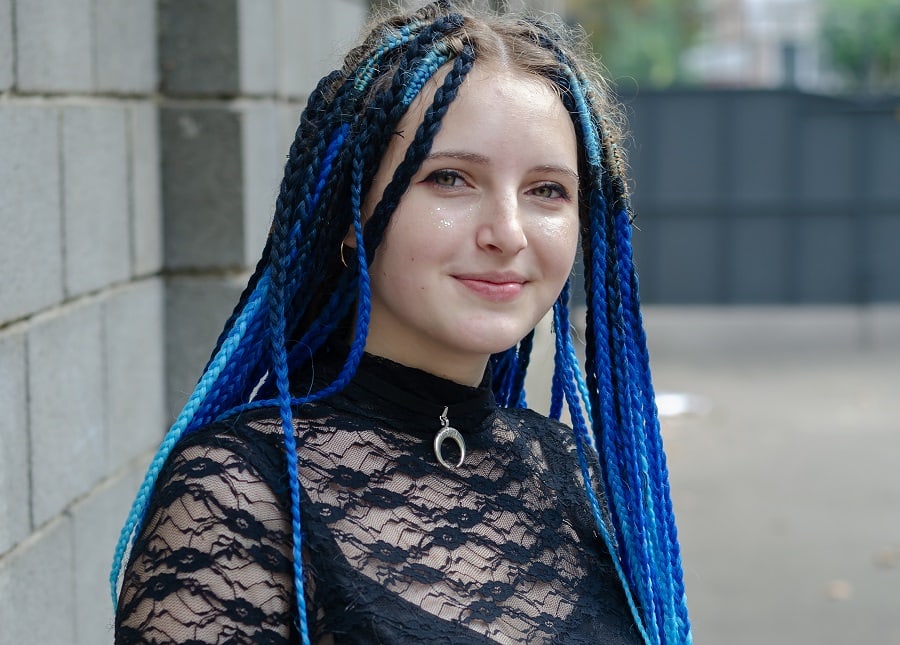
637	480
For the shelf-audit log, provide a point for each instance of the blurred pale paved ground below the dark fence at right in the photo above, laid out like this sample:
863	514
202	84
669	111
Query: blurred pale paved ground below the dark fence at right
787	486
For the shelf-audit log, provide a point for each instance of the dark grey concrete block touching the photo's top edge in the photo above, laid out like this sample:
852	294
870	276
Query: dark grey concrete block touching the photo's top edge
198	41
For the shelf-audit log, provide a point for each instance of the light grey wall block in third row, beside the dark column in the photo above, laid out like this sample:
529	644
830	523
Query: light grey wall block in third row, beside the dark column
133	326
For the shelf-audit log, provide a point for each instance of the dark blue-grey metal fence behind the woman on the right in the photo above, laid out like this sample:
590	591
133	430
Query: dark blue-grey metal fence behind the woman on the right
758	197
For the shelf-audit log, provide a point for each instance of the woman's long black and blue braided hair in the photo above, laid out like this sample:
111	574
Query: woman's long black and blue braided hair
300	295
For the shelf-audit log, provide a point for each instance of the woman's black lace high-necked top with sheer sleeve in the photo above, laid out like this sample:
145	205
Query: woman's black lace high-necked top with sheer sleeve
398	549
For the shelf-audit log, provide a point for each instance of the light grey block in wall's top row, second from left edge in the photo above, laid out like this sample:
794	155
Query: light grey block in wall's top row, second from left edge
53	46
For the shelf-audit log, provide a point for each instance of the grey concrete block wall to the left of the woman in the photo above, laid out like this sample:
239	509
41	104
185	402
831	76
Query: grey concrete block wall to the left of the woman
141	145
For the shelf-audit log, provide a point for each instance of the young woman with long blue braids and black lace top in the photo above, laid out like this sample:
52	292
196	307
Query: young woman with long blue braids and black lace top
357	464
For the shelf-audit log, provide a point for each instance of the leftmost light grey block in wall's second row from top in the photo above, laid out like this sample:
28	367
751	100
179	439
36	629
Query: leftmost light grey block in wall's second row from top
30	220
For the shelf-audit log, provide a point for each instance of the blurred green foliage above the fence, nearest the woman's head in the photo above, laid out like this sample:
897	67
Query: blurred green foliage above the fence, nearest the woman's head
641	39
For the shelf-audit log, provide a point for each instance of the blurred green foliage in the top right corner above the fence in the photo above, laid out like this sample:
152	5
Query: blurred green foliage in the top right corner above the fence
862	41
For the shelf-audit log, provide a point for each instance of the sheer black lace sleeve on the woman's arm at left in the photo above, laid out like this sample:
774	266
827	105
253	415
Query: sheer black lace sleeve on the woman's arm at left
212	563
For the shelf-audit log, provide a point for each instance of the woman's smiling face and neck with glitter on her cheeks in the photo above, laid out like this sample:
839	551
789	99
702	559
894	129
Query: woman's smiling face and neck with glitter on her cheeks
484	238
